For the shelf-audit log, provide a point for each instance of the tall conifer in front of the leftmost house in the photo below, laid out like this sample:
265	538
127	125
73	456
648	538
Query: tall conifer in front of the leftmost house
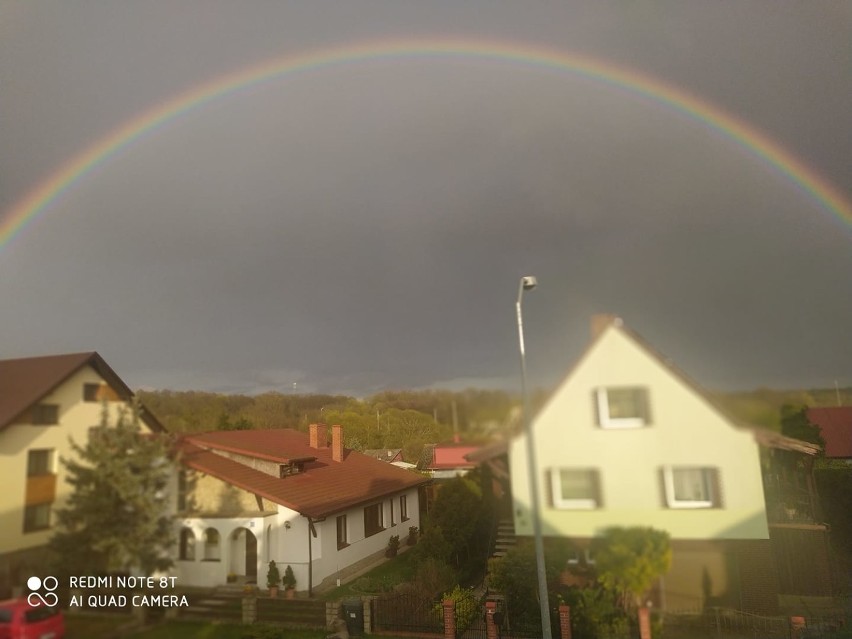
117	519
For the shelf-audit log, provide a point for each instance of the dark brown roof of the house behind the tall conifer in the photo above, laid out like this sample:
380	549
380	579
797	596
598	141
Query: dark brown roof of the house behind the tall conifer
24	382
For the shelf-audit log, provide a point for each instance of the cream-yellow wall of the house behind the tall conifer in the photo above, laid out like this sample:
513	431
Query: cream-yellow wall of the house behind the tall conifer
75	419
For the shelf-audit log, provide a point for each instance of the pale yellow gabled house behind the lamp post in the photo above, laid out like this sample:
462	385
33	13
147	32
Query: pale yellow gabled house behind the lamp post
627	440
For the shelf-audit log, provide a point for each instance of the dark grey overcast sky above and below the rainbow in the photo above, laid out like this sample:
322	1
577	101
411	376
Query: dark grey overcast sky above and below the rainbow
363	226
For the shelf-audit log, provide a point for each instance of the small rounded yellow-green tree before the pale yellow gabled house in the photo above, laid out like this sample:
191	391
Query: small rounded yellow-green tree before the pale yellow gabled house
628	560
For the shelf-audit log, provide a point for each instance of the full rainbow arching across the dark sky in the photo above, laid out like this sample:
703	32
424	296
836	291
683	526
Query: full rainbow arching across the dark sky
748	137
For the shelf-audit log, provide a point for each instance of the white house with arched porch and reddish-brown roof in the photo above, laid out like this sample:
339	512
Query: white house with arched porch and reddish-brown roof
246	498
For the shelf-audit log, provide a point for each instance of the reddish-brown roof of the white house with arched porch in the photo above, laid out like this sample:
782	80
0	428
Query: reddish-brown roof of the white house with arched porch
324	488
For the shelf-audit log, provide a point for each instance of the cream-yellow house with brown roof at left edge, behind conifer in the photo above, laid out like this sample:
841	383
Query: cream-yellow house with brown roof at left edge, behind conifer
44	402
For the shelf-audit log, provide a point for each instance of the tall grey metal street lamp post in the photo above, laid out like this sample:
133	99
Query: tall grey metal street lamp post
528	283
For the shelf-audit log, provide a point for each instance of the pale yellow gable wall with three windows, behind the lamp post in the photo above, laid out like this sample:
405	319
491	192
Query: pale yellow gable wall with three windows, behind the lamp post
684	431
